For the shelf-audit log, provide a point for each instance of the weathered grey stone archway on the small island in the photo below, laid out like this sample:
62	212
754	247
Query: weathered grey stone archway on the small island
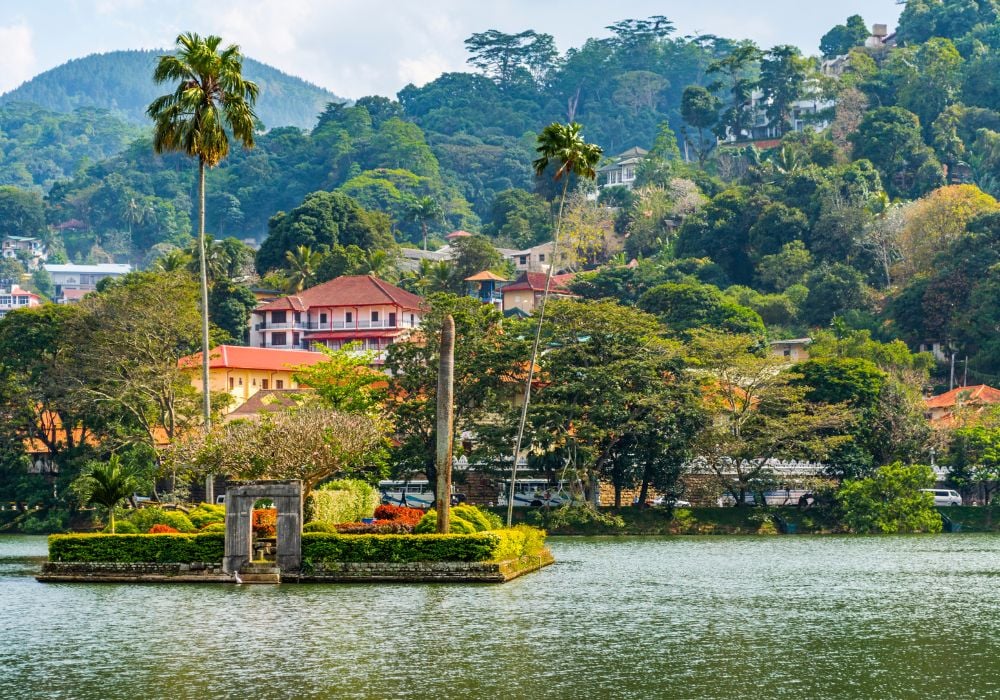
287	497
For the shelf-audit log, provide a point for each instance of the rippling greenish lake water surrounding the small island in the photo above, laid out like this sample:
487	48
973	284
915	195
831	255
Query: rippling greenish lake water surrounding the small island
706	617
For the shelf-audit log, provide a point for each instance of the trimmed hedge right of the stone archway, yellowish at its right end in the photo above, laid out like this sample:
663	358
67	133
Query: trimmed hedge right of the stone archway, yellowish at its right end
495	545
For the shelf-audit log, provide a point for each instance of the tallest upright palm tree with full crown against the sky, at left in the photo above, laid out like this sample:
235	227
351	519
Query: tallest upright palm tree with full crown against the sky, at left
211	100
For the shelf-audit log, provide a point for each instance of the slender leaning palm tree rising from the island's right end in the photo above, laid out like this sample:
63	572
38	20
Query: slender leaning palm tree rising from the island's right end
563	146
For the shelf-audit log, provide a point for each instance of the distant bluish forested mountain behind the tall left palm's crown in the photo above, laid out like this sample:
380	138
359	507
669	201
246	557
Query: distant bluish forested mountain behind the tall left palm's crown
121	82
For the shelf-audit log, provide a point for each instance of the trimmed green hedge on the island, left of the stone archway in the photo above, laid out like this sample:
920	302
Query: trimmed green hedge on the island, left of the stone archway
161	549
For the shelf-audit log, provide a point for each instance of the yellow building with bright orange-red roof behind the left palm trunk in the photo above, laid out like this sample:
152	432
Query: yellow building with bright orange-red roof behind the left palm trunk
241	371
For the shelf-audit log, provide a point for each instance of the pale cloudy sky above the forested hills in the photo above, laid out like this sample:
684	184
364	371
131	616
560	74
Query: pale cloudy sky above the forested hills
364	47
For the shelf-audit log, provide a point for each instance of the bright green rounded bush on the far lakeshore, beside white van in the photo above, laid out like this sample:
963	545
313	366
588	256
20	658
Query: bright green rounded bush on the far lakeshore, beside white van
890	501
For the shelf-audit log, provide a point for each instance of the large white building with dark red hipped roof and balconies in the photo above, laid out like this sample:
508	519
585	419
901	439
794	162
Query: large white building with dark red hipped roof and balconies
352	309
